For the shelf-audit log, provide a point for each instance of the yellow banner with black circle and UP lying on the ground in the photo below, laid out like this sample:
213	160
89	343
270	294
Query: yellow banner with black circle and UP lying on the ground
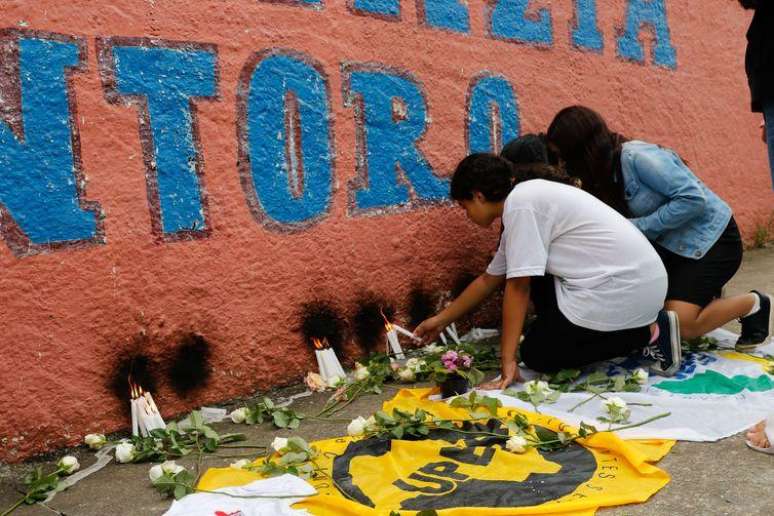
458	473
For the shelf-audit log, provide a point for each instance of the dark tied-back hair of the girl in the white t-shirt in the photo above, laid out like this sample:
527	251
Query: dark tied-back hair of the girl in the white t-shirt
495	176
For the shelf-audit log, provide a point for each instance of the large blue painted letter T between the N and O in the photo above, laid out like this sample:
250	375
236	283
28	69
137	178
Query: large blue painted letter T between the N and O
168	78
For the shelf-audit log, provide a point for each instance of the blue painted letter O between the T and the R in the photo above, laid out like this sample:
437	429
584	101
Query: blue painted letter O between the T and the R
285	144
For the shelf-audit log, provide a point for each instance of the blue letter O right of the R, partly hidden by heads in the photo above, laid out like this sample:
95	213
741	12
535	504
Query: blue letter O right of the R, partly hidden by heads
493	114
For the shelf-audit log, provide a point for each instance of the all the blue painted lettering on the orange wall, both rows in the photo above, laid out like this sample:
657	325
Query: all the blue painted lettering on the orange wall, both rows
284	129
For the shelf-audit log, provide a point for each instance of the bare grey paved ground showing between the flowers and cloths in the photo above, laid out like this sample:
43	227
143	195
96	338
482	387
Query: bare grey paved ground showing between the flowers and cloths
708	478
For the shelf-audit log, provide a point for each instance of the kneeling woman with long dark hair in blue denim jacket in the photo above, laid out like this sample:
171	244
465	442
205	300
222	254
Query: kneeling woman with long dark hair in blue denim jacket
689	225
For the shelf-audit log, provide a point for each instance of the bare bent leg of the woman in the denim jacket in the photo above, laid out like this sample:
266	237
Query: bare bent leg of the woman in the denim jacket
695	321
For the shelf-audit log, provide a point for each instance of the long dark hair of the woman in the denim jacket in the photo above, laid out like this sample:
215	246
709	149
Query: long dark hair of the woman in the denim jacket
591	152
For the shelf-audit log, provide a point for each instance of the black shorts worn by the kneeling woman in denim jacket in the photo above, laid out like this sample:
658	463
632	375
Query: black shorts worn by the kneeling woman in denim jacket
700	281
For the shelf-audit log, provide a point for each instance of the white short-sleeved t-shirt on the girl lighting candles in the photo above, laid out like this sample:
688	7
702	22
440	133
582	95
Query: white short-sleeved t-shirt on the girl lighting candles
607	275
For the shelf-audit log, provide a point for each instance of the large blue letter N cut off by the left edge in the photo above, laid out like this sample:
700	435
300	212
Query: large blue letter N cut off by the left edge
38	170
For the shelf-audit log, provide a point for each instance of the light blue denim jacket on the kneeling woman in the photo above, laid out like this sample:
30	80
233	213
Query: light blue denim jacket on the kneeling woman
670	205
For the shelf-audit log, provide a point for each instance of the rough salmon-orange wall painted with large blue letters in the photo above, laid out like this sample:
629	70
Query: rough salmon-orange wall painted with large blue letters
178	179
